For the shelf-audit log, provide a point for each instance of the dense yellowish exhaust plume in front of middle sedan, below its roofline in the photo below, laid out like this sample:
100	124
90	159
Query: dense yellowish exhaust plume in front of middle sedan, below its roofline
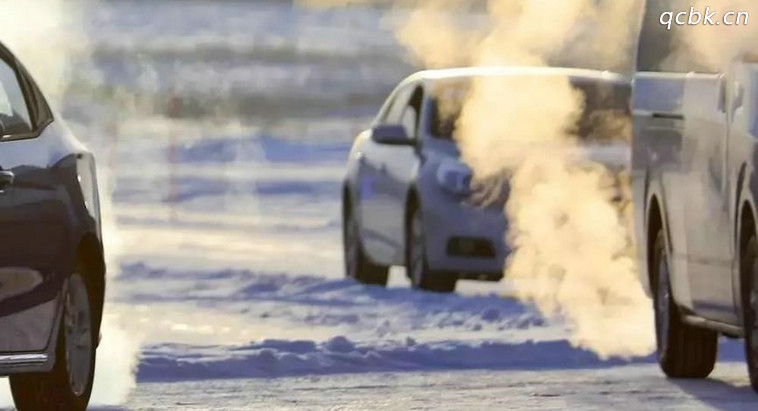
572	251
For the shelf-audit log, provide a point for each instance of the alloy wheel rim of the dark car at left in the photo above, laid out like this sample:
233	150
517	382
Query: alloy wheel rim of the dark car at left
78	337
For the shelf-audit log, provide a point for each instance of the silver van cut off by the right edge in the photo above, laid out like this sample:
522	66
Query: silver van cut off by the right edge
695	190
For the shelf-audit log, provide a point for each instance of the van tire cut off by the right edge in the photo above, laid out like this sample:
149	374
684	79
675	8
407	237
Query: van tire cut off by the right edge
749	272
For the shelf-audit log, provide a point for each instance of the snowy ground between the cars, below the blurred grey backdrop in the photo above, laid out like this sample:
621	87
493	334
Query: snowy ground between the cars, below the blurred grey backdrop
235	290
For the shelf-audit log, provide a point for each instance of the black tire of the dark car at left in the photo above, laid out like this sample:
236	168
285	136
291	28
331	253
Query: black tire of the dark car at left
69	385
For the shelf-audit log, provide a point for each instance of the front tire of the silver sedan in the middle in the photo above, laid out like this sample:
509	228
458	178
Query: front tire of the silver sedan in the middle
417	266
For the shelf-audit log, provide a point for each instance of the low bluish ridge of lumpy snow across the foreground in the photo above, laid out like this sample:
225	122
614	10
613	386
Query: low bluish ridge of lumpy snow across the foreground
277	358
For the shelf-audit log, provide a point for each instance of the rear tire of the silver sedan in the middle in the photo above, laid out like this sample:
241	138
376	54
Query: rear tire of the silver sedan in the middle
357	264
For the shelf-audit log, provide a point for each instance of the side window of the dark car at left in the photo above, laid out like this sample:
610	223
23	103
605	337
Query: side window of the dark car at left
14	113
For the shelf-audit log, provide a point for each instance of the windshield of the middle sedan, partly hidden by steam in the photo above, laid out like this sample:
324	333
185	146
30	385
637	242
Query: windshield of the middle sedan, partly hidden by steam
607	106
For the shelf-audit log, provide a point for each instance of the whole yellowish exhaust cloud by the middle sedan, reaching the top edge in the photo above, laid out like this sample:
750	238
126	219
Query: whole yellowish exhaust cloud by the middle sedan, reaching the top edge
572	251
